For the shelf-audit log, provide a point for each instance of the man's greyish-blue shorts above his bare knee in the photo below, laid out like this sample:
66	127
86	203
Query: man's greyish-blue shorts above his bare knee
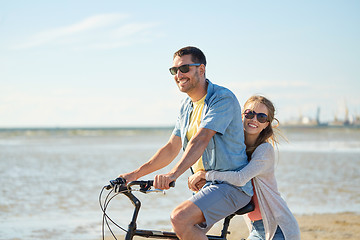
217	201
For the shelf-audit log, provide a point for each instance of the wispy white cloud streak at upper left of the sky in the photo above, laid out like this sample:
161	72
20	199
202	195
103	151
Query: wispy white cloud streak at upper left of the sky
98	31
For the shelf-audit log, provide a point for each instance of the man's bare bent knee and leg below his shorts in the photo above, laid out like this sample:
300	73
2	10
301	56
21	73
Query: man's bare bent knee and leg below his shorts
184	219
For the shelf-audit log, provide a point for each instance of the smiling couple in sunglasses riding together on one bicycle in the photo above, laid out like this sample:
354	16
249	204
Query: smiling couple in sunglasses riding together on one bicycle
210	130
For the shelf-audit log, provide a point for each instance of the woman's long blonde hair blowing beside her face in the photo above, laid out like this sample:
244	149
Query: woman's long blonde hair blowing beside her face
266	135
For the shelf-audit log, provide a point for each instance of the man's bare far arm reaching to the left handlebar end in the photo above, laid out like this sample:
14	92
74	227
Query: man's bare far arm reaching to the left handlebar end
163	157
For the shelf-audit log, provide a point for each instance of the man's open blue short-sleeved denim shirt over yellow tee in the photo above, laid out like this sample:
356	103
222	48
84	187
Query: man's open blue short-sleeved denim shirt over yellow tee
226	150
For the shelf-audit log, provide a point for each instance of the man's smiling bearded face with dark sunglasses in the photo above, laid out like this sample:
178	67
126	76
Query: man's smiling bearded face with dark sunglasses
187	82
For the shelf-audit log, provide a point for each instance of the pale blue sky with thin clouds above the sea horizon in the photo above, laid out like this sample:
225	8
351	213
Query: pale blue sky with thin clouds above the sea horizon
105	63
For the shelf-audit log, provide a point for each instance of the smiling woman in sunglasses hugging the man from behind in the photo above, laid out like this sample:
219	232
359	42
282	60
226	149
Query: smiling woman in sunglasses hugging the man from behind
271	218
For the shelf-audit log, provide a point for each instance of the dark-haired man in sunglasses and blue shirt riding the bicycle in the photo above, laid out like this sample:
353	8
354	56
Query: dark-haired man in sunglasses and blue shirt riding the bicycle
210	131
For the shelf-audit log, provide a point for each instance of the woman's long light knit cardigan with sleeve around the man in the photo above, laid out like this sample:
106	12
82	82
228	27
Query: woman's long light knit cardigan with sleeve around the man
273	208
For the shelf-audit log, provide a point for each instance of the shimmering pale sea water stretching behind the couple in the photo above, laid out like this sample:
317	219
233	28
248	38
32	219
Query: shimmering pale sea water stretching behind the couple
51	178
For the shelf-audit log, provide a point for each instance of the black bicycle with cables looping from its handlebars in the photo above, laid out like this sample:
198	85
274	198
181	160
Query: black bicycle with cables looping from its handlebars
120	187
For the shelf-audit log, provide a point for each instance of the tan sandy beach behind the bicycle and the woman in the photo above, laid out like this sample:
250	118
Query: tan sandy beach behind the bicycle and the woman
317	226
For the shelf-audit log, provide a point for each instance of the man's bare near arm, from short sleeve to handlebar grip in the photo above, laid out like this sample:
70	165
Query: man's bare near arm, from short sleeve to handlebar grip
193	152
